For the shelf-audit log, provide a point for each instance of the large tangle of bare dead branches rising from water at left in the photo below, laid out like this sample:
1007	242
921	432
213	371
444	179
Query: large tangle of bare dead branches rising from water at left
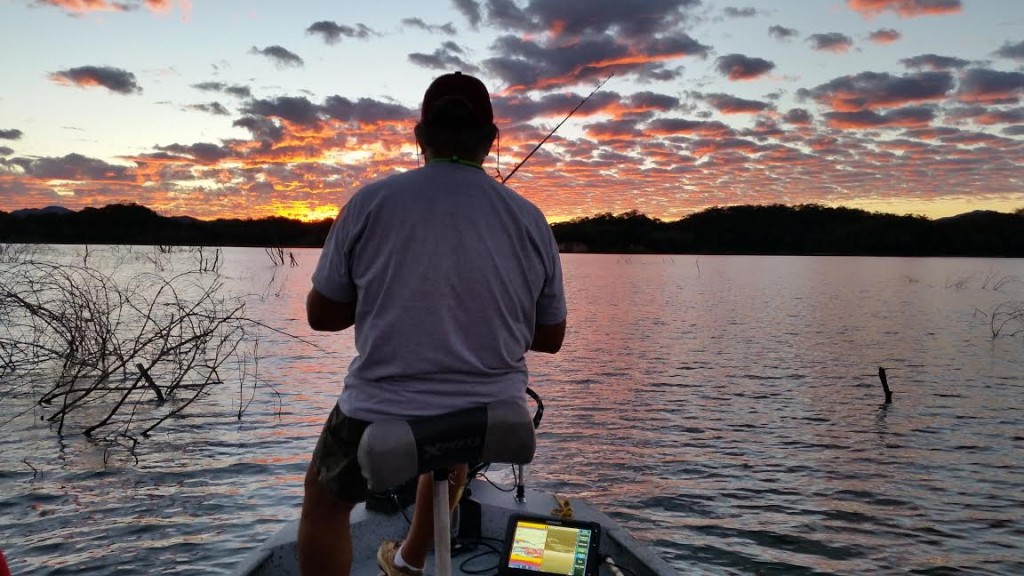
119	357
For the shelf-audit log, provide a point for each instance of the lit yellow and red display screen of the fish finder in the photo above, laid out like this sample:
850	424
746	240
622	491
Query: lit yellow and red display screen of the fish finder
550	550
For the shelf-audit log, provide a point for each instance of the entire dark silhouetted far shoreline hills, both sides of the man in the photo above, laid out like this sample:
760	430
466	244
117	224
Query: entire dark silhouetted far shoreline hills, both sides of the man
807	229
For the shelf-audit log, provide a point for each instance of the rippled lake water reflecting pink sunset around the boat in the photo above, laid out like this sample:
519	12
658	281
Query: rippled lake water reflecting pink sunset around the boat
726	409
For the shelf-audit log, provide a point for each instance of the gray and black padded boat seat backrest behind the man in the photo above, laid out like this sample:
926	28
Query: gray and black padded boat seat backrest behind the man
394	451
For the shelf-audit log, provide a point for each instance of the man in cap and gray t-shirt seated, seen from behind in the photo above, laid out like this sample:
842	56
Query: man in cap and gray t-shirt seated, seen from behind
449	278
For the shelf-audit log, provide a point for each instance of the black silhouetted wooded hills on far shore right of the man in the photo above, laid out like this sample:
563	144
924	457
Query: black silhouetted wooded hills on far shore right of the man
808	229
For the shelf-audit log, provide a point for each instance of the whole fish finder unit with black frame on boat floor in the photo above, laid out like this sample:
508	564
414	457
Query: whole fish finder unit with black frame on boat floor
539	546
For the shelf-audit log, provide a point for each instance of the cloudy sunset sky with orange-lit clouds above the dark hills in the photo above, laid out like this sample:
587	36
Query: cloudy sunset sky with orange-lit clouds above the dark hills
218	108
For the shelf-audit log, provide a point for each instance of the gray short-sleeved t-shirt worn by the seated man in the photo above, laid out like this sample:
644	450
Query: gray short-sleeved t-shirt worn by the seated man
450	272
